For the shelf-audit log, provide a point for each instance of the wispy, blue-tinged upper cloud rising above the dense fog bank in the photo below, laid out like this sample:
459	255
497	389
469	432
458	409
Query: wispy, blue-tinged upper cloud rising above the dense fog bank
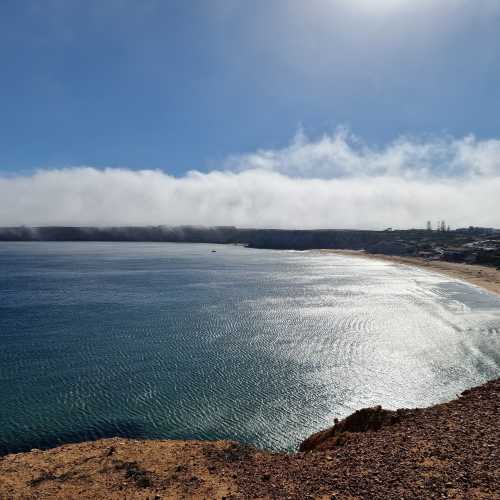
343	154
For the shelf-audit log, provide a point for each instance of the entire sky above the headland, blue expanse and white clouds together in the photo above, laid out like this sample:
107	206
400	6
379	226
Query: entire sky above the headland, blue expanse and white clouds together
281	113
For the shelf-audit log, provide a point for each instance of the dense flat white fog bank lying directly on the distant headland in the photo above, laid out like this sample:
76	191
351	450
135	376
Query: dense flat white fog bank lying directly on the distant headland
255	198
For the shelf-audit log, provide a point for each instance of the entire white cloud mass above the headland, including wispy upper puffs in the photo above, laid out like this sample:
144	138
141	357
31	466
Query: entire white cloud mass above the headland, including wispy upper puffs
335	181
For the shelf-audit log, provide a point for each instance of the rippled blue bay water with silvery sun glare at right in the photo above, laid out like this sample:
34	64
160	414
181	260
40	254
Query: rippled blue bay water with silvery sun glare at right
176	341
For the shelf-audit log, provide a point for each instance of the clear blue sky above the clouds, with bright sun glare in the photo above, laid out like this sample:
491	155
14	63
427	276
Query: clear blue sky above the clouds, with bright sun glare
181	85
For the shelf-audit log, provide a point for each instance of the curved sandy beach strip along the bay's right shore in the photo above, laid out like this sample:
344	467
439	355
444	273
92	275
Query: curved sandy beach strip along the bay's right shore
481	276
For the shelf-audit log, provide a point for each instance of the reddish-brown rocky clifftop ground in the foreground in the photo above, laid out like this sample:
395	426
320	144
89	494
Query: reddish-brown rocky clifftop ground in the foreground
445	451
